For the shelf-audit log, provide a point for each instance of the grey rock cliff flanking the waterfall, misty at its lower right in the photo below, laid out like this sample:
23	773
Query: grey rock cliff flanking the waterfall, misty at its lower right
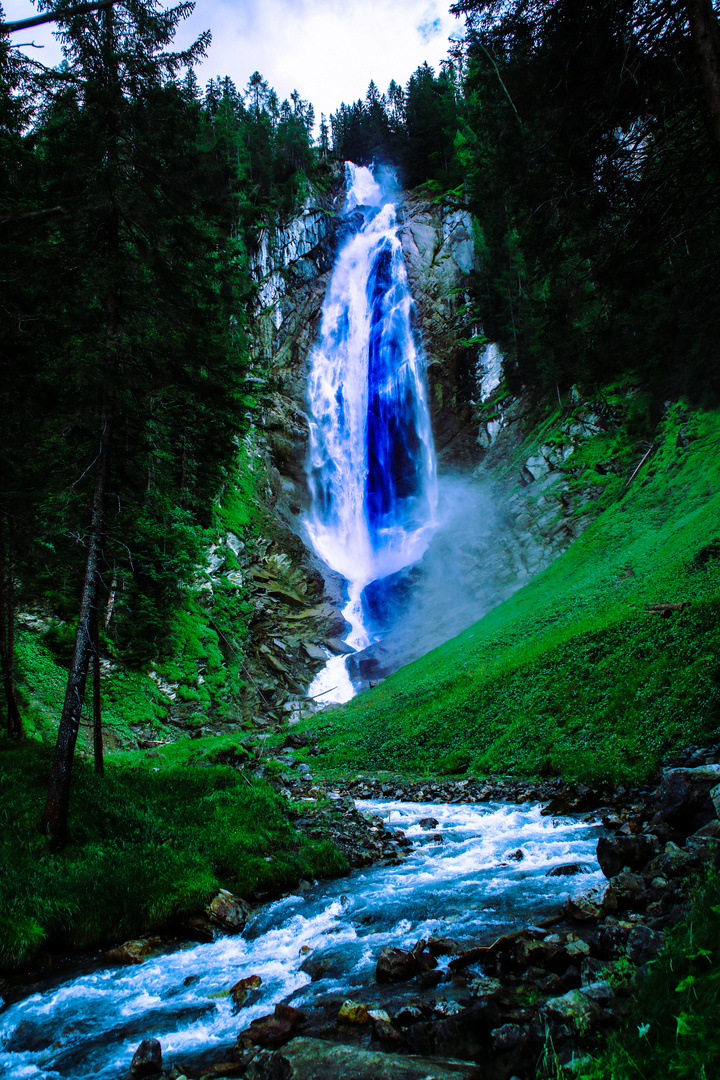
505	496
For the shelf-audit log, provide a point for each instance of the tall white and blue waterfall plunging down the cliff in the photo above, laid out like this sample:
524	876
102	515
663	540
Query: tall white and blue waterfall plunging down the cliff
372	471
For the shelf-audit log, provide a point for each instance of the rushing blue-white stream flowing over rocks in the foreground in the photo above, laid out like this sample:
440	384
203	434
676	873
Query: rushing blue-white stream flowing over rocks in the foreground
471	887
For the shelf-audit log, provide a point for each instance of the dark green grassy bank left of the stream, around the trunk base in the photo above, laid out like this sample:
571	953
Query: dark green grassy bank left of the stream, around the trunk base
154	840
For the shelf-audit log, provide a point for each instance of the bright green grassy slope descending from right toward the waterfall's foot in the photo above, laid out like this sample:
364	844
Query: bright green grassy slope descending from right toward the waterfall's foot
573	674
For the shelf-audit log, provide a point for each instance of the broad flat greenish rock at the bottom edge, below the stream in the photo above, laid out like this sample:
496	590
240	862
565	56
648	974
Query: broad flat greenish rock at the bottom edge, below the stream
315	1059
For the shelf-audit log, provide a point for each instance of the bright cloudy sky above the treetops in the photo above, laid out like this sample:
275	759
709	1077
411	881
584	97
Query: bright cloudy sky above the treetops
329	50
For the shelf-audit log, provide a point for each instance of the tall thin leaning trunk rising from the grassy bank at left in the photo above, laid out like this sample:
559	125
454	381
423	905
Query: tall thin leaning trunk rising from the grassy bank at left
59	793
